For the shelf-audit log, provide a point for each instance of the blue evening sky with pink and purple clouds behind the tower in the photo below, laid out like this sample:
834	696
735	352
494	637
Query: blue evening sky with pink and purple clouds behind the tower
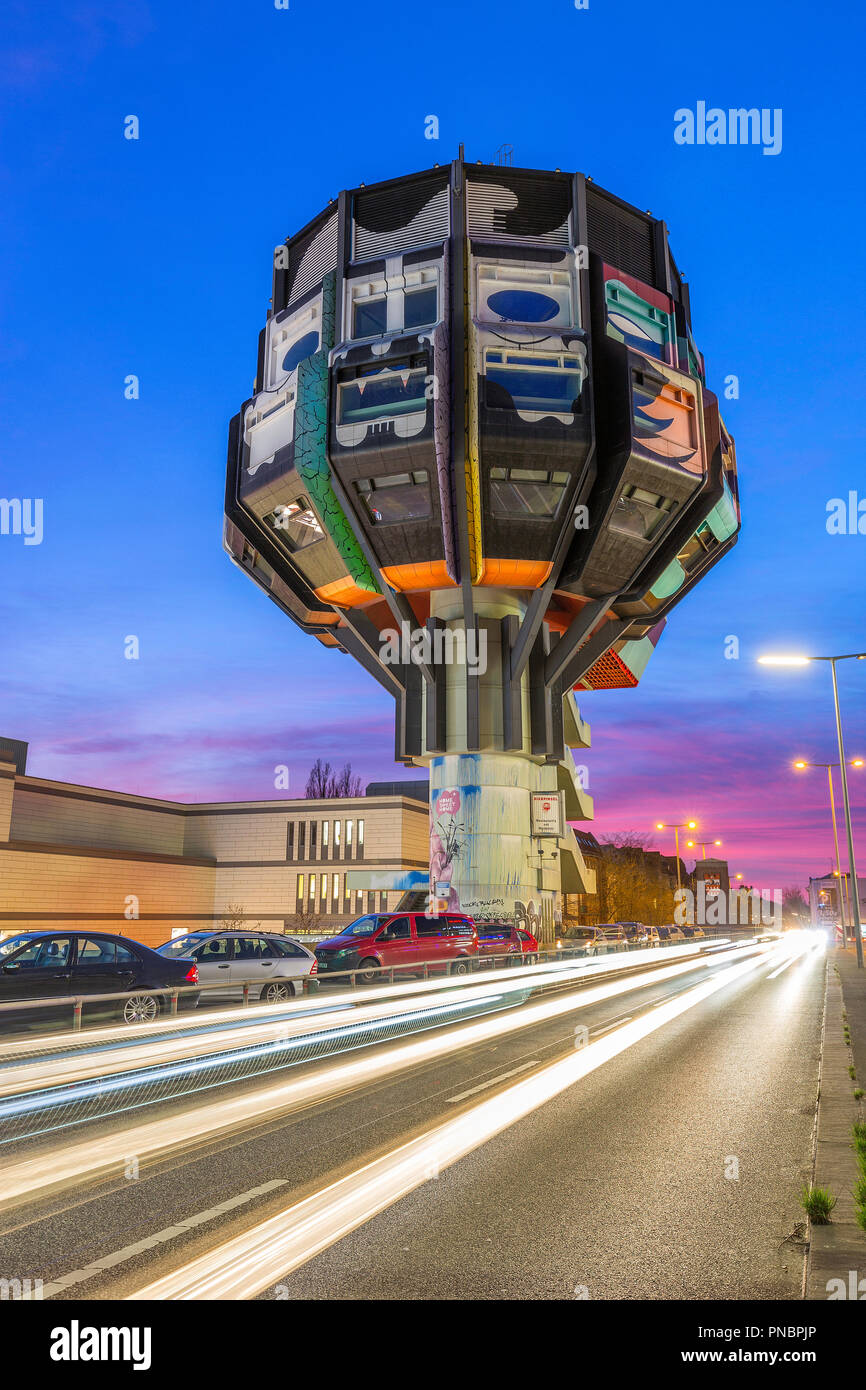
152	258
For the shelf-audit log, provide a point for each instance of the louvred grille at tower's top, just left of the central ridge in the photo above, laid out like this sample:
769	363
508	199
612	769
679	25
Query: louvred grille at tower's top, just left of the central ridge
395	219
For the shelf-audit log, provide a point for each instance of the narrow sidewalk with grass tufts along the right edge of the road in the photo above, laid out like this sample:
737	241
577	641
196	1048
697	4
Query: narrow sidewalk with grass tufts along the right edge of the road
839	1249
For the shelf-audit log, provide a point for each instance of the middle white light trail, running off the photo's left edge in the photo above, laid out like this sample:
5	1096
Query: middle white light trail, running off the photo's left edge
58	1168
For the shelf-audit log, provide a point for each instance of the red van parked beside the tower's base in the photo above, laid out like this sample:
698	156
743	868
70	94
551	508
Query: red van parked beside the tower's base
409	942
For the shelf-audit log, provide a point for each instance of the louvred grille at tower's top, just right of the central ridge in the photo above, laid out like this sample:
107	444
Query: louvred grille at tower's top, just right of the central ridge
519	208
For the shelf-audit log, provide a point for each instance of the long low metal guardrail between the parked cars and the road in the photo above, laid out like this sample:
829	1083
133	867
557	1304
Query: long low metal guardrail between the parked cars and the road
432	968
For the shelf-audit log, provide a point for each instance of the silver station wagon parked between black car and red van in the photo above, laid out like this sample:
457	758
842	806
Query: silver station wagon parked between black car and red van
273	965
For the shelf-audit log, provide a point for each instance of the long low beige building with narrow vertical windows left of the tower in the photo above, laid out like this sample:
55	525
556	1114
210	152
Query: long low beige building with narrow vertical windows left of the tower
84	857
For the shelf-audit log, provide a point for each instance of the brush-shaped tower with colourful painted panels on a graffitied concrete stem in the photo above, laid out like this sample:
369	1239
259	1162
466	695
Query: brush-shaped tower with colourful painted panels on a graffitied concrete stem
482	458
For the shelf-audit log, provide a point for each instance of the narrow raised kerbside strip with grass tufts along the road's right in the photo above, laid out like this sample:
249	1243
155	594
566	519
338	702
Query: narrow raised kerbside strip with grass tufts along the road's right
840	1248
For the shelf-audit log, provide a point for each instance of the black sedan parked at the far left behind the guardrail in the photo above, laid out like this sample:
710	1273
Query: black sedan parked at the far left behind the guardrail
45	965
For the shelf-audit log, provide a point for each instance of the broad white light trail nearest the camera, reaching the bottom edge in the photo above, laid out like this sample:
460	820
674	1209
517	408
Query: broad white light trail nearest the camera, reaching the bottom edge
244	1267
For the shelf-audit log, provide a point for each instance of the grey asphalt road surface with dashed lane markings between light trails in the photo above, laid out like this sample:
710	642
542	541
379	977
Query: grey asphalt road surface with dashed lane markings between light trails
616	1189
